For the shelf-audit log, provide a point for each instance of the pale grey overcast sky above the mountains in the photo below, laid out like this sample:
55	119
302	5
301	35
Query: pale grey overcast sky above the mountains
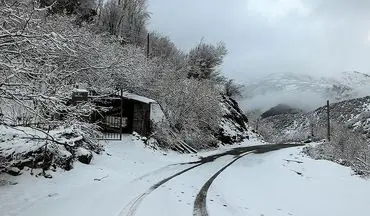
320	37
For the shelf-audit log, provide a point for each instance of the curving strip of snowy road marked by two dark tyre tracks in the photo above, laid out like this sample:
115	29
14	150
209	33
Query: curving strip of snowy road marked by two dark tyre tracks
199	208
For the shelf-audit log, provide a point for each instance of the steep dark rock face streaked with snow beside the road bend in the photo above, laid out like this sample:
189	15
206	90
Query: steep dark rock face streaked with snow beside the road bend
233	126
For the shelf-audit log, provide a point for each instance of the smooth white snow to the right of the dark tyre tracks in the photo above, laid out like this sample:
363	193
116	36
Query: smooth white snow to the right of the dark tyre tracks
277	183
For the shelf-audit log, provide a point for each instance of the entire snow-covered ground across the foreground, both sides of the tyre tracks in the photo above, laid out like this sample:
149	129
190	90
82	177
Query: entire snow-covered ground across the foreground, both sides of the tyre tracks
129	179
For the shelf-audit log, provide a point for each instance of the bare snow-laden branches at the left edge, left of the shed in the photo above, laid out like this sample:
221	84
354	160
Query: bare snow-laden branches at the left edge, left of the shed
39	63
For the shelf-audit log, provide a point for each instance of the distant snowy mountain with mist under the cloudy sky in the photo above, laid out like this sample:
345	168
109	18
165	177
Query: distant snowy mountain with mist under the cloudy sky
304	91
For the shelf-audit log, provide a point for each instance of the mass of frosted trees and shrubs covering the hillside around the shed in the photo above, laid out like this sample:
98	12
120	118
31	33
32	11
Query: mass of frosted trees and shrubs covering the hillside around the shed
44	56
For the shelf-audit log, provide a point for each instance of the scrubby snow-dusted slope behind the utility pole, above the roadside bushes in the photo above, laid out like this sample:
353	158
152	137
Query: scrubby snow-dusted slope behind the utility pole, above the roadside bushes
354	114
